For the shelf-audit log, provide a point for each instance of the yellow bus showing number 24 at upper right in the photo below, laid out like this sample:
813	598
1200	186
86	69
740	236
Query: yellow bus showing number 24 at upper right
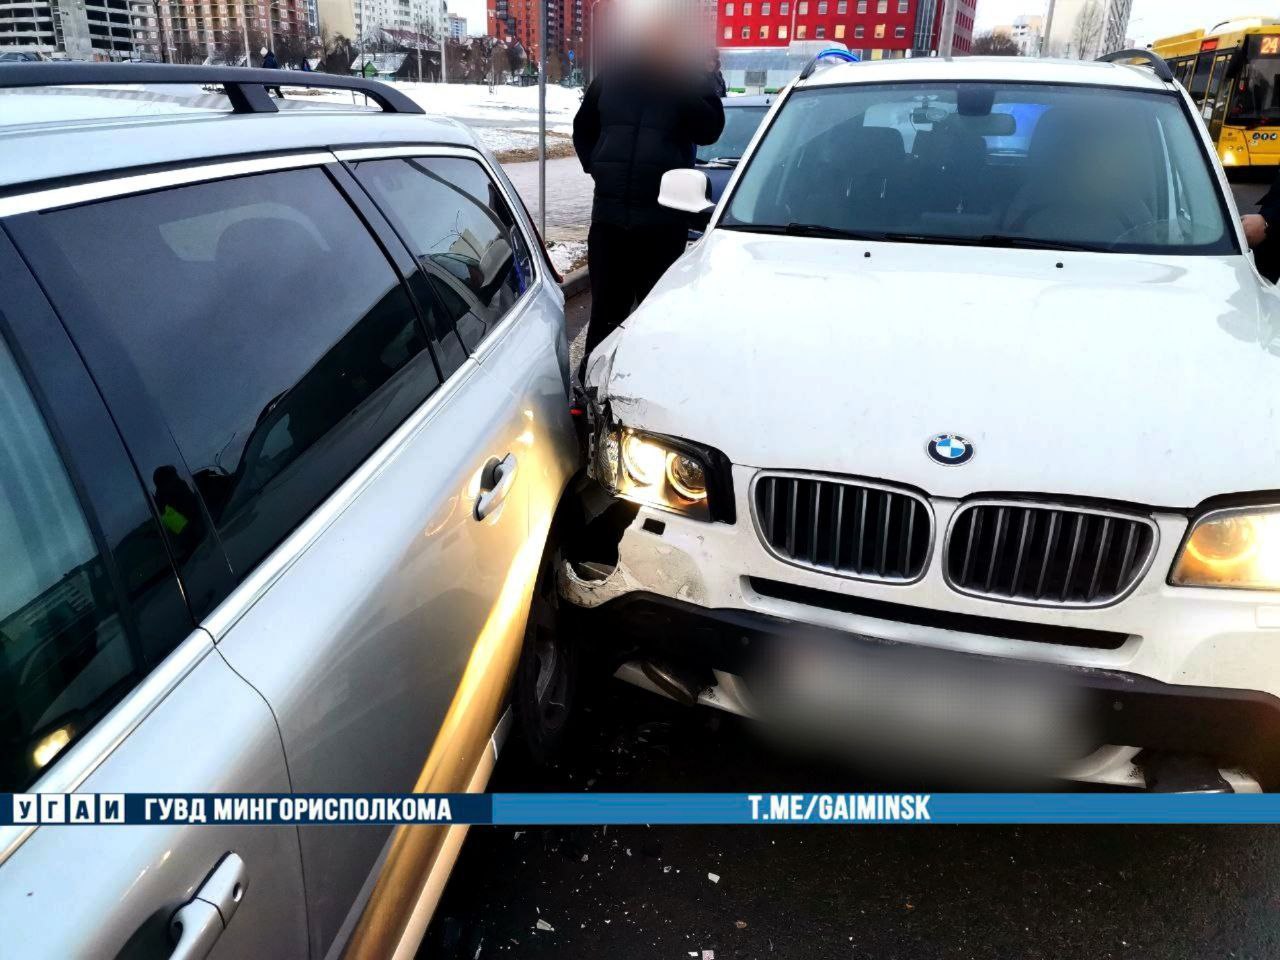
1233	75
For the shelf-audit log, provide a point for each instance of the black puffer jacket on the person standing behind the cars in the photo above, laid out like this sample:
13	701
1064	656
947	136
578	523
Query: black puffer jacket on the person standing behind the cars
636	125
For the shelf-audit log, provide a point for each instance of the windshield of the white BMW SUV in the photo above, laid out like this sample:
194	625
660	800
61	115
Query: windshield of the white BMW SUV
1076	168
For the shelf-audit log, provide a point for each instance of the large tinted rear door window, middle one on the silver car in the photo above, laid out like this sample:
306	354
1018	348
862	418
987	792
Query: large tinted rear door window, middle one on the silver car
275	336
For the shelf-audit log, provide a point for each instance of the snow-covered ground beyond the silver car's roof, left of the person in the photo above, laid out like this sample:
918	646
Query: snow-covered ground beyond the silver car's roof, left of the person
514	108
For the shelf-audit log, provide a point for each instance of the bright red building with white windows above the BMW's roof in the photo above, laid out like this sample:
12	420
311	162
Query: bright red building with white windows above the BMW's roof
874	29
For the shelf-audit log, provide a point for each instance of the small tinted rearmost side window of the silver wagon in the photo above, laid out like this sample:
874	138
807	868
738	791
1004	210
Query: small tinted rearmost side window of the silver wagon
451	214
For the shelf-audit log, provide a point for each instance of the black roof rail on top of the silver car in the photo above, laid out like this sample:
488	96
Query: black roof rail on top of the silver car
246	86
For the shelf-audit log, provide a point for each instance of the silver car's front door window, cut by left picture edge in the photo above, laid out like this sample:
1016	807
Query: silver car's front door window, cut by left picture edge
66	657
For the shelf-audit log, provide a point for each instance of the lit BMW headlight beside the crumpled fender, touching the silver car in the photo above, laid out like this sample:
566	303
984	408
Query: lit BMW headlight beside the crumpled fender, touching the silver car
665	473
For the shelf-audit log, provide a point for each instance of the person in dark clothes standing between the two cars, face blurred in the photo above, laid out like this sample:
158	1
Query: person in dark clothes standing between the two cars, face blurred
639	120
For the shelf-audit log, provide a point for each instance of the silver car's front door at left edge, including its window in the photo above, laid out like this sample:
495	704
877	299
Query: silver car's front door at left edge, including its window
108	687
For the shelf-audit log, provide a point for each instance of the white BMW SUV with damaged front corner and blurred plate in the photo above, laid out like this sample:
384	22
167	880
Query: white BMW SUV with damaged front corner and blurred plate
958	433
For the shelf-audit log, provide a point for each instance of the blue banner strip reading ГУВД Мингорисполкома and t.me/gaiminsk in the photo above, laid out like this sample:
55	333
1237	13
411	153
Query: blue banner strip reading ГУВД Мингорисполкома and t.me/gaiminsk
540	810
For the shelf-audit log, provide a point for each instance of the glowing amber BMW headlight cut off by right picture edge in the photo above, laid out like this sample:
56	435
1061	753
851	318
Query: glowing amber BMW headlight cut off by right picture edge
1232	548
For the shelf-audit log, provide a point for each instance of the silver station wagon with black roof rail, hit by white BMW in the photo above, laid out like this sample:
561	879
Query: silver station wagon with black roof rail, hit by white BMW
286	428
